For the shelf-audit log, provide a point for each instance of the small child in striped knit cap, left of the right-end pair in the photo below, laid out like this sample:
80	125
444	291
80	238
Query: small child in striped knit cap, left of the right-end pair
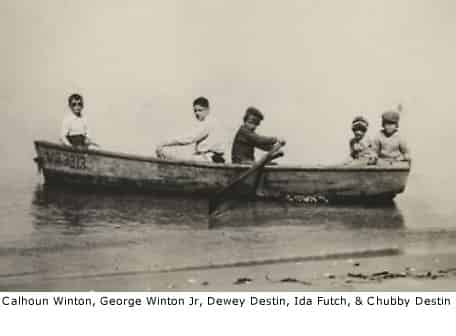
360	145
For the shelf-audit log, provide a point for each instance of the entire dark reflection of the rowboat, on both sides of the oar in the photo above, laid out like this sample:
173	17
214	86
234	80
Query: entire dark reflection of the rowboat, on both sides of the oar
54	205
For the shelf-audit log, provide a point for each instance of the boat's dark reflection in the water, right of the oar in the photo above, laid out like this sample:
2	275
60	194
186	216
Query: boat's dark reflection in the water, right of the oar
375	216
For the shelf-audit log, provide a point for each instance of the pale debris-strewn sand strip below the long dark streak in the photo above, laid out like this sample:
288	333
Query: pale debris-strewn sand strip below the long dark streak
402	272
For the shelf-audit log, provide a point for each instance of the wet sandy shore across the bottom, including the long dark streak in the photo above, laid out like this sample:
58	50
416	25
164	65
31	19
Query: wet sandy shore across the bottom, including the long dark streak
129	261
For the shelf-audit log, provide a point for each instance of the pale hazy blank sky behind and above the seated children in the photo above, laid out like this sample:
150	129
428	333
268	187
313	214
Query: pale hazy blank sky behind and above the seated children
311	66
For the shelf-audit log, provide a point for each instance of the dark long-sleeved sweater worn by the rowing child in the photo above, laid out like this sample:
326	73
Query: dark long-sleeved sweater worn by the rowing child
245	142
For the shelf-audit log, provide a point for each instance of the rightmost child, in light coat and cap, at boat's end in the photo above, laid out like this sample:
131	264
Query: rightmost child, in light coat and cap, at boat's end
388	144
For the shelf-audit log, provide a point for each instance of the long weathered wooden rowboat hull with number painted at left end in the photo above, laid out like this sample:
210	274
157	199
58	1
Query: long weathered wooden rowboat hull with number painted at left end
101	170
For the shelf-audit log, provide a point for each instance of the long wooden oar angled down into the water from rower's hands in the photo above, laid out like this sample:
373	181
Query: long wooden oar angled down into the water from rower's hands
222	195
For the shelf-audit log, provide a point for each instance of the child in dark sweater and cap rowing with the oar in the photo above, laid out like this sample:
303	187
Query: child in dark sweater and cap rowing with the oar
246	140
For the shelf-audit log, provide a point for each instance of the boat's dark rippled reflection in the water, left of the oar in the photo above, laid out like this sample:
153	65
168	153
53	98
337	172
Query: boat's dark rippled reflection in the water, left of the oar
53	205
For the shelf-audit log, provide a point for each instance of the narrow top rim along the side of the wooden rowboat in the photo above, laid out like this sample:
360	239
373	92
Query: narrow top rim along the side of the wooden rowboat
198	164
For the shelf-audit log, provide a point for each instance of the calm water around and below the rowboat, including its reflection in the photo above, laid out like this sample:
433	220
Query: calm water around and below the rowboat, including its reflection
31	214
